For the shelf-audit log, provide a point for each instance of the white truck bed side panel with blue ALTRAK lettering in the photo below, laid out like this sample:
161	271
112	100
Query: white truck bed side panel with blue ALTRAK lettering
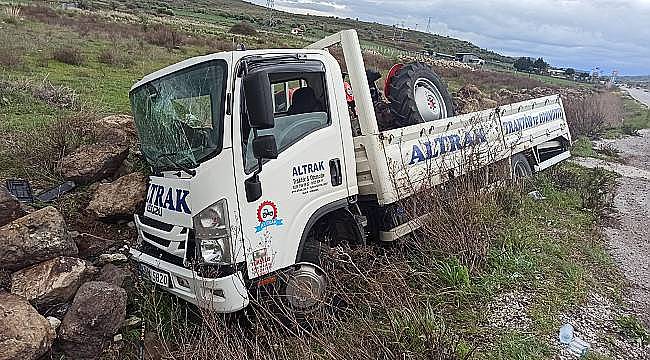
431	152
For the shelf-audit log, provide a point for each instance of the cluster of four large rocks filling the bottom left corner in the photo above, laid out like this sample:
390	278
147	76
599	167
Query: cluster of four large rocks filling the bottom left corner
87	303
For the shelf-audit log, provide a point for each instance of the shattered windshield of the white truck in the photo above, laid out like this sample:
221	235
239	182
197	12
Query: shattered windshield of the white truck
179	117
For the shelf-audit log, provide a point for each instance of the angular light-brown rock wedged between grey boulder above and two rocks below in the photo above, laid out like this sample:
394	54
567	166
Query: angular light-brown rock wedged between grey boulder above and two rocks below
51	282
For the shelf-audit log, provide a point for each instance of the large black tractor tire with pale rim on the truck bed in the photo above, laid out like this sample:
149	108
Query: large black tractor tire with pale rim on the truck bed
418	95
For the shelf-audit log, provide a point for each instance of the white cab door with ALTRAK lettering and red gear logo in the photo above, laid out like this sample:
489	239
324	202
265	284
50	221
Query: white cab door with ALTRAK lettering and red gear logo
310	171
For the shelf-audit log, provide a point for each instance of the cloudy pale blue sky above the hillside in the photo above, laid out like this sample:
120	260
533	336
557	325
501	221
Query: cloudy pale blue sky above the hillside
582	34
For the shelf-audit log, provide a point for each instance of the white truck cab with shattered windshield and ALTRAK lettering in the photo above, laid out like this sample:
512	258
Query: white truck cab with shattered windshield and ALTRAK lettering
202	237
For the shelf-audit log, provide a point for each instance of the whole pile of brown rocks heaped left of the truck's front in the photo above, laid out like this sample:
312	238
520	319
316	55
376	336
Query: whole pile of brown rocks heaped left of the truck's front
58	291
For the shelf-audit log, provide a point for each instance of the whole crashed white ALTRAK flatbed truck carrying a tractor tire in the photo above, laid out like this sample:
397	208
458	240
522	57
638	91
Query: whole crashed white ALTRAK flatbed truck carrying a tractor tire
257	167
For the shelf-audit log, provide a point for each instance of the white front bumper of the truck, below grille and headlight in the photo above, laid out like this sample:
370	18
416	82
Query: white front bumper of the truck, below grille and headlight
224	295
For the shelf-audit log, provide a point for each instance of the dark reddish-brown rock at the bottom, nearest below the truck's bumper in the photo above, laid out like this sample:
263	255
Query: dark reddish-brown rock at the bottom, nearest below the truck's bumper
97	313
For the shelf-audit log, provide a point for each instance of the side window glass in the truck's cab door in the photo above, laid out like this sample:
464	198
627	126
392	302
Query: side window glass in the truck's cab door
300	107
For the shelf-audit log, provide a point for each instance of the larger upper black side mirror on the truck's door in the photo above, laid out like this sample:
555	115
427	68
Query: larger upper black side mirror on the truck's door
259	100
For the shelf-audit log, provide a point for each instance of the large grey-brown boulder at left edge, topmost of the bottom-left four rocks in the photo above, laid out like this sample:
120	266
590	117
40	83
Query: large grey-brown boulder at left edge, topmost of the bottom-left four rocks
34	238
